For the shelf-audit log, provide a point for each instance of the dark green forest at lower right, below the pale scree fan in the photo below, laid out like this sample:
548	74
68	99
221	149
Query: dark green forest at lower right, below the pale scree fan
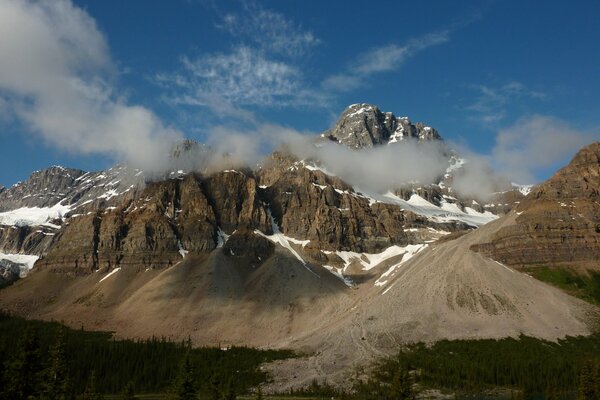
530	368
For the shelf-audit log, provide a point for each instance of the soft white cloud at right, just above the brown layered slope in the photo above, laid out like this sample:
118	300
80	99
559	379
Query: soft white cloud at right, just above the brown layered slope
535	143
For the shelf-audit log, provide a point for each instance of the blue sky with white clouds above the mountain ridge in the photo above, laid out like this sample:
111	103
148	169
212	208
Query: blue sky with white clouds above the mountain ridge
515	82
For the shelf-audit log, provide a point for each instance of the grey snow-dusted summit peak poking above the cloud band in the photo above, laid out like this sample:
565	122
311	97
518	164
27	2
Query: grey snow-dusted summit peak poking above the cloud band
365	125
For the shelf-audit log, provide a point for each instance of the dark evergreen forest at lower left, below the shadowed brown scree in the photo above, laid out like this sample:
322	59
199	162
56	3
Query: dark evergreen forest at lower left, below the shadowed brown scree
48	361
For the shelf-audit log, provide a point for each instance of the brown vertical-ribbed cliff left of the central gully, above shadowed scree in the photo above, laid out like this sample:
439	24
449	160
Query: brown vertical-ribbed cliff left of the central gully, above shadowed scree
168	220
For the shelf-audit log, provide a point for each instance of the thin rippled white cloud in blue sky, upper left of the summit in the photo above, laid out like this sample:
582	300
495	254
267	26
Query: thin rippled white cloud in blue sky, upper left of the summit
226	82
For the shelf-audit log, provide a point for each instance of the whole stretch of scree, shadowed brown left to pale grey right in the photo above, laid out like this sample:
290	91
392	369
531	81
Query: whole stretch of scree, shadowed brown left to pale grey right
446	291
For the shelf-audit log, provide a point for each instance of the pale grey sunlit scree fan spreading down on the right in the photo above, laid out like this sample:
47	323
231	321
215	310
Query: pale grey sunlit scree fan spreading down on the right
445	292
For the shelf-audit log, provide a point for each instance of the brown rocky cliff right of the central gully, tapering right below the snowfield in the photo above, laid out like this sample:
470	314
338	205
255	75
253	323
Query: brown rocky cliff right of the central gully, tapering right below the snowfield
311	205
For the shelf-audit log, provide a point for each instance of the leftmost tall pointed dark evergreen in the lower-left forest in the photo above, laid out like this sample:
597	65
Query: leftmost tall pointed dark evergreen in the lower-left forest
23	372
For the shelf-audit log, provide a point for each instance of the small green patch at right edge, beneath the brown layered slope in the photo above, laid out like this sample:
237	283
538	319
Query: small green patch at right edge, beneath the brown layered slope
584	287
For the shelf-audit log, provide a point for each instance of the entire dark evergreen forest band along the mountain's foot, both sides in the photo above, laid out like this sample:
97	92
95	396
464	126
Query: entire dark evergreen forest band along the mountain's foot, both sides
44	360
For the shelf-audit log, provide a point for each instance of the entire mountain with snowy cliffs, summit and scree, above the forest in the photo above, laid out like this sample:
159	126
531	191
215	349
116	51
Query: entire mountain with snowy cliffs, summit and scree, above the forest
290	255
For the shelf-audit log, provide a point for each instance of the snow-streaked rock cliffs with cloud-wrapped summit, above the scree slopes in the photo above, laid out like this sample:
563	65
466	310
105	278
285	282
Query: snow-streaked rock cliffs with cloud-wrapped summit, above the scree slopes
79	222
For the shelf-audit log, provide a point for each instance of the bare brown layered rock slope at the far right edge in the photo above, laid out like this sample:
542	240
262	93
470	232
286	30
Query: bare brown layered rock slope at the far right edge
559	222
